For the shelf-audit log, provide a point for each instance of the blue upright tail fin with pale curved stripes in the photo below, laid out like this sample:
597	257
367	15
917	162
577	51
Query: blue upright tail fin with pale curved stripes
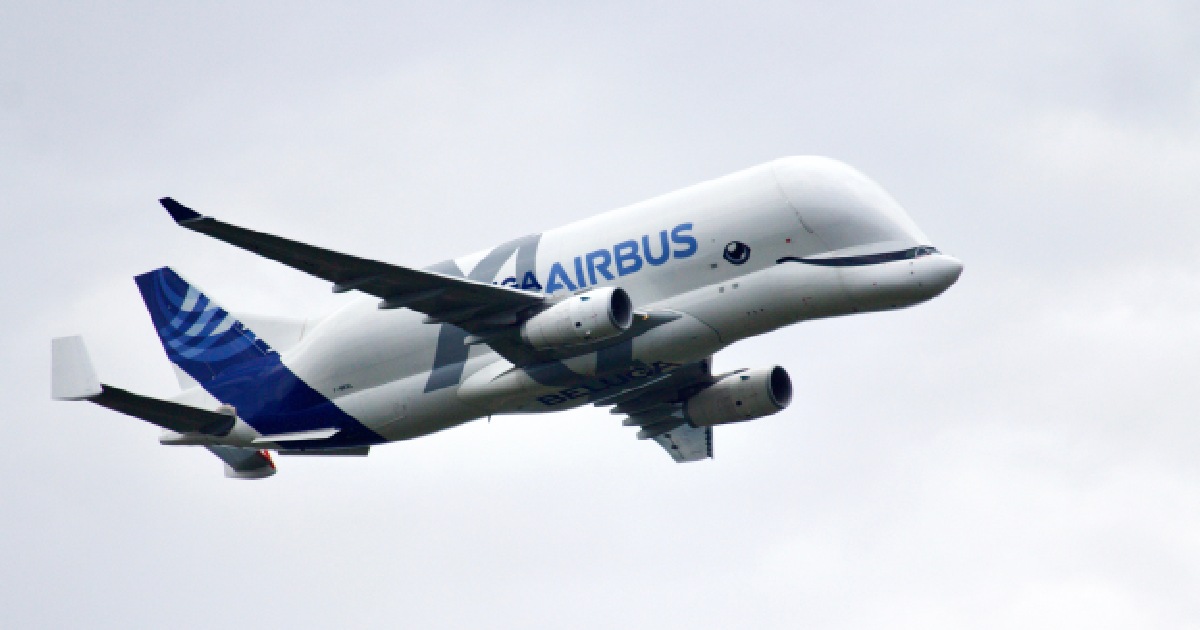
200	337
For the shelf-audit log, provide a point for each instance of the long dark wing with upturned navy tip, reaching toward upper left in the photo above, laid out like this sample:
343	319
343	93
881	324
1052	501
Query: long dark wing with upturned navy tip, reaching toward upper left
475	307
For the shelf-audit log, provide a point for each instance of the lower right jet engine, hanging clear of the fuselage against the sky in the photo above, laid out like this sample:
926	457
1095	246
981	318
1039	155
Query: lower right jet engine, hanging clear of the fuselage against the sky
740	398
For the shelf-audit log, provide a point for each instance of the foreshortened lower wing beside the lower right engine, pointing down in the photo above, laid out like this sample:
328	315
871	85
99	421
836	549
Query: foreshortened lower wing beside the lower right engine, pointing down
657	407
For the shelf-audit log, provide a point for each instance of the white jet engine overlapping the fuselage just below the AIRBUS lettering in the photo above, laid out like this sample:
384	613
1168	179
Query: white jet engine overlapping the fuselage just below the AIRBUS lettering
595	316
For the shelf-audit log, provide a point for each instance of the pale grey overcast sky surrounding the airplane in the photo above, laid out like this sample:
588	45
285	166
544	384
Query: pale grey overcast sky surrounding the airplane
1019	453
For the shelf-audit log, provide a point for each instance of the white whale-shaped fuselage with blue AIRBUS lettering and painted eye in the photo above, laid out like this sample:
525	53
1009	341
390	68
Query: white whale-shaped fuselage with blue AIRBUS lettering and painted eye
801	235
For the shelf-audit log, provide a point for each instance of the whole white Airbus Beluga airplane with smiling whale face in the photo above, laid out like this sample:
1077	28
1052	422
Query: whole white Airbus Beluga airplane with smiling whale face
623	310
